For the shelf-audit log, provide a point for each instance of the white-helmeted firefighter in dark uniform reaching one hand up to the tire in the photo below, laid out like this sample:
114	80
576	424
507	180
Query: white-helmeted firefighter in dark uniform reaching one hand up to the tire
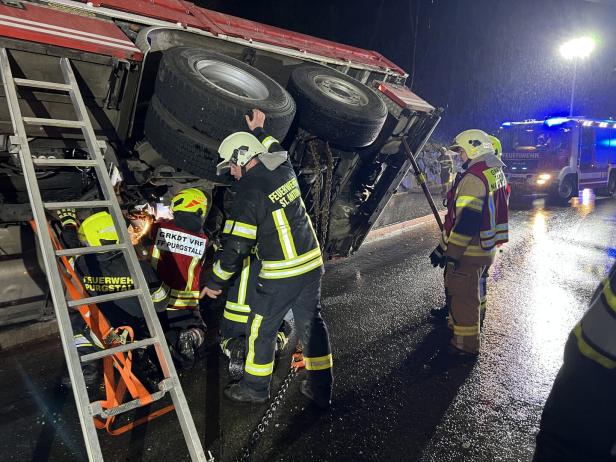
268	211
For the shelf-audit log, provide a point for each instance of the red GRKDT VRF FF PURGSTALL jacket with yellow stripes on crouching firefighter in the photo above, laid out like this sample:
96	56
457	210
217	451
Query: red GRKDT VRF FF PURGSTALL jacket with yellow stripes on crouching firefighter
177	256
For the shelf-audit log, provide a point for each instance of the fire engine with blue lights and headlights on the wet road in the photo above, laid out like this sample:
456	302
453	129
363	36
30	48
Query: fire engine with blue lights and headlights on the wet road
560	156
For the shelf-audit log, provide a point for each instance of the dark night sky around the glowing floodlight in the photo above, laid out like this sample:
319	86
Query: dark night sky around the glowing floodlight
484	61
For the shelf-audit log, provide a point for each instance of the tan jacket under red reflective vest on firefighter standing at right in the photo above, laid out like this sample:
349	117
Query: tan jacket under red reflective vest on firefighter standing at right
477	212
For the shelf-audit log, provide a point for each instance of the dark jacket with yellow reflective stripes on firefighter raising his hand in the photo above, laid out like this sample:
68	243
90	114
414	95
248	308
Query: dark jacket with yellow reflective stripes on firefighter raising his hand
268	212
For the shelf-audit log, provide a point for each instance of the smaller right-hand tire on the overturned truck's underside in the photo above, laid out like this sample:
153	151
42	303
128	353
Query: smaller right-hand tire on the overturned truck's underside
336	107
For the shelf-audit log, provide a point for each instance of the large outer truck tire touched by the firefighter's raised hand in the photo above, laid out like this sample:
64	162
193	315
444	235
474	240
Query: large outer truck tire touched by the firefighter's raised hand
210	92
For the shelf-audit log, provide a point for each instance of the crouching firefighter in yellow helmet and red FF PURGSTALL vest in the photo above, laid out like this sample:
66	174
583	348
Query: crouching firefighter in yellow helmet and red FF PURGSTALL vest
177	255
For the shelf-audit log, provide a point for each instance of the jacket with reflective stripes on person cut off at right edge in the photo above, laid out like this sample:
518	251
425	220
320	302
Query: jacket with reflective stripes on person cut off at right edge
596	332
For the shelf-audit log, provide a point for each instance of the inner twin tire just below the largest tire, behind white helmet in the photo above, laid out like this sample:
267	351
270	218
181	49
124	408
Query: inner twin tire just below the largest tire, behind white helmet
182	146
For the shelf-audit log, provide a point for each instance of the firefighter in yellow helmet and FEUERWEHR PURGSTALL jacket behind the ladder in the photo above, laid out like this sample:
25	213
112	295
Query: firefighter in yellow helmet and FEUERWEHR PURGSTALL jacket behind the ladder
102	273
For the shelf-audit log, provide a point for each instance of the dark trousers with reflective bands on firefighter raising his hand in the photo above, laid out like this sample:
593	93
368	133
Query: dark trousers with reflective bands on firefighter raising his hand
273	298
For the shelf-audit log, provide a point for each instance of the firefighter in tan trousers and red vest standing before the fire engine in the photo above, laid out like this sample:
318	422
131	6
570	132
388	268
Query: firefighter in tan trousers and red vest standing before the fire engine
476	222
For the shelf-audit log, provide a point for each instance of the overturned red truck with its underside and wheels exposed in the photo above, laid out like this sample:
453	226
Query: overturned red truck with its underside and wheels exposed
164	82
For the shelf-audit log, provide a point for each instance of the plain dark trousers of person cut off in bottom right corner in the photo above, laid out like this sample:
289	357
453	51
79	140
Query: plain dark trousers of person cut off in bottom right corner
579	418
